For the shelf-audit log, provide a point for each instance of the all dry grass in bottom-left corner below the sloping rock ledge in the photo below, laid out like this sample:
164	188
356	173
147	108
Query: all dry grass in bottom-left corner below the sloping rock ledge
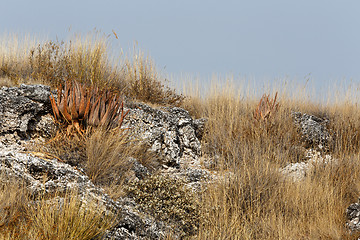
23	217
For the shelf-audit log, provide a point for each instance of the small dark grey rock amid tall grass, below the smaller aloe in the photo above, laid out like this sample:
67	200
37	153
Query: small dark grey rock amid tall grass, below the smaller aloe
313	131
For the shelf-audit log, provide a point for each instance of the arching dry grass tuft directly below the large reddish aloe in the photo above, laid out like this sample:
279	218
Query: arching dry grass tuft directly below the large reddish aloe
110	156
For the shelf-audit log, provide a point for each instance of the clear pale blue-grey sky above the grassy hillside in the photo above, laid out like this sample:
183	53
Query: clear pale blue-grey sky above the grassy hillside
260	40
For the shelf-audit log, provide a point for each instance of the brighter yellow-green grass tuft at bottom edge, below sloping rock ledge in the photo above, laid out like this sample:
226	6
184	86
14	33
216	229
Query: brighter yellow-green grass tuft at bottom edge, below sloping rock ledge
68	218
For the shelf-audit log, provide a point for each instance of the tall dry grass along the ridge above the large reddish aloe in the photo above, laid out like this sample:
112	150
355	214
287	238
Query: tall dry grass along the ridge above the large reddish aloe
85	59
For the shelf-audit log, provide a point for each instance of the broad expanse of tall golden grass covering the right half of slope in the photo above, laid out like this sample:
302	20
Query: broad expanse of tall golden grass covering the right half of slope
254	201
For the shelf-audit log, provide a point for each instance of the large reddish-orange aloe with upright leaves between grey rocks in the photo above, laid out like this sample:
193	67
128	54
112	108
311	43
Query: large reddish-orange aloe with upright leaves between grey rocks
79	106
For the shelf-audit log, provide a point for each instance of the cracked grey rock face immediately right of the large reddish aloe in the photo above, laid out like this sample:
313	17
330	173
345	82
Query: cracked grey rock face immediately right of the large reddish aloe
171	132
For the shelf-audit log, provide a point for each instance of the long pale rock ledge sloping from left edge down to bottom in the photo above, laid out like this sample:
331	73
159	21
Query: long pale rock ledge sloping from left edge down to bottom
49	175
